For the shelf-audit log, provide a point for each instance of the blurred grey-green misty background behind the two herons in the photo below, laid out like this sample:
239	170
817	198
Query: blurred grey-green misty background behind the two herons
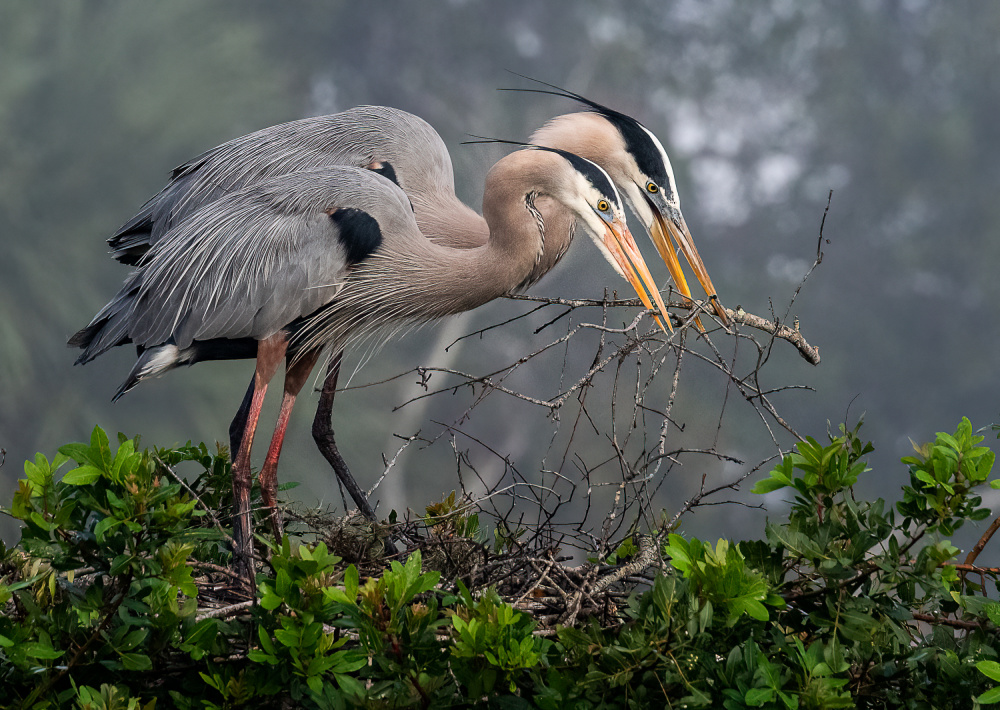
763	108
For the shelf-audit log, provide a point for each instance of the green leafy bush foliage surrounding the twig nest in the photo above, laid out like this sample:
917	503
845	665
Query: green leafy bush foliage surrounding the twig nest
846	603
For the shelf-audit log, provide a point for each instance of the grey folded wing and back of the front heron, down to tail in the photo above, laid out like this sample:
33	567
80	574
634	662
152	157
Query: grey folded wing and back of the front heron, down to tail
245	265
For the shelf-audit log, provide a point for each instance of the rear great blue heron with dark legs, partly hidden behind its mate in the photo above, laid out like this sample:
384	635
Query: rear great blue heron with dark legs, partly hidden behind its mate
408	150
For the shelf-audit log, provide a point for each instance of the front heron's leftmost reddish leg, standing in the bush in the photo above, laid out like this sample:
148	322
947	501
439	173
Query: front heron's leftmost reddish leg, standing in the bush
270	352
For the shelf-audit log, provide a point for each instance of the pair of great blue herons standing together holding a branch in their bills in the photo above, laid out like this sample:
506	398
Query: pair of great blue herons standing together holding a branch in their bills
310	235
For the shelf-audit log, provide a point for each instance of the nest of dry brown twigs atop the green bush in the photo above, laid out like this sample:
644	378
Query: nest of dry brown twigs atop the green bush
552	587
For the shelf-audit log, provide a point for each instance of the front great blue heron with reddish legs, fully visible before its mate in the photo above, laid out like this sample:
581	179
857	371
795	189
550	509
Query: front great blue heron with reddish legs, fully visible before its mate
290	265
